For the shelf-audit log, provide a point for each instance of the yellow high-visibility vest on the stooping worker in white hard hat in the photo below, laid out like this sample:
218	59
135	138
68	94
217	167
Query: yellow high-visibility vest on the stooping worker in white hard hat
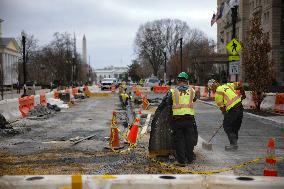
226	96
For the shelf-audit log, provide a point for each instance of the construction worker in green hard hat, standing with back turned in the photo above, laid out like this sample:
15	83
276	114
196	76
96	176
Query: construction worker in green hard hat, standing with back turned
180	101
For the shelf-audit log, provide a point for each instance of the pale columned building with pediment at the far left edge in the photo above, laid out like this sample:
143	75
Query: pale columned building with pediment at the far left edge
9	57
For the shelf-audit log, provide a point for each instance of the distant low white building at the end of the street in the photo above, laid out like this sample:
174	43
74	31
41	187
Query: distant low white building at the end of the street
111	72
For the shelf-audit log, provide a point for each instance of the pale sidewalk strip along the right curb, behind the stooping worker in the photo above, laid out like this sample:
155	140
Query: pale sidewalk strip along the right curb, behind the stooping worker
279	120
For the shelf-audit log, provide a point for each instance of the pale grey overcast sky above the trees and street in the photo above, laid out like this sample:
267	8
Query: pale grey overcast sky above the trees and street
109	25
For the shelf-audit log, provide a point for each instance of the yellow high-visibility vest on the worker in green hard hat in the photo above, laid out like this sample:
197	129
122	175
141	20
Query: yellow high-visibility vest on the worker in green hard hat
183	102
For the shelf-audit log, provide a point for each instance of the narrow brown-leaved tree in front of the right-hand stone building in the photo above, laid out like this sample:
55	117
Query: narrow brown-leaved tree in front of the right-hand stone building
258	67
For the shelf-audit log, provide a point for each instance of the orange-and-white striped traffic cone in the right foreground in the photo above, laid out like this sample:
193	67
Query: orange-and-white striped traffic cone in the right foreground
270	160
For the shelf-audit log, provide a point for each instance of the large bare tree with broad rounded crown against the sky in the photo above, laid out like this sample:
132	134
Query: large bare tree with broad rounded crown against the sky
156	37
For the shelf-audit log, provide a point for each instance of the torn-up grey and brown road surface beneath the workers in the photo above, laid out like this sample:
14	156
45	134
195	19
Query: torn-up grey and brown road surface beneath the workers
44	146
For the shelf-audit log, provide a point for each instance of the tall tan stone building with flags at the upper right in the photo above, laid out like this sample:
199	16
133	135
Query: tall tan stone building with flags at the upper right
271	13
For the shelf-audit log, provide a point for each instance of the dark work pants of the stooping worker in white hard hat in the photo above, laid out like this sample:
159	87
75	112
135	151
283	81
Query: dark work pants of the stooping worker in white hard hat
232	123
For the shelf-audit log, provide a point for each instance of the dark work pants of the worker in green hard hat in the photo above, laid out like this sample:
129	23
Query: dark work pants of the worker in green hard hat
184	135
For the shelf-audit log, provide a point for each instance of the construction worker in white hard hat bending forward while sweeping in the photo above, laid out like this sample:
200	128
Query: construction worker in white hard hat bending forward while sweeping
230	103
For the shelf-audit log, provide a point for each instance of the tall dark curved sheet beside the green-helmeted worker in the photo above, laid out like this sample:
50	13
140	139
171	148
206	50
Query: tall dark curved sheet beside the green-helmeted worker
161	140
